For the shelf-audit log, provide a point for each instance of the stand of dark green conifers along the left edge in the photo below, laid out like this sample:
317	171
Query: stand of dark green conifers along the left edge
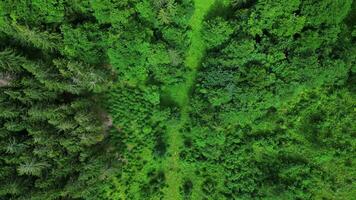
52	132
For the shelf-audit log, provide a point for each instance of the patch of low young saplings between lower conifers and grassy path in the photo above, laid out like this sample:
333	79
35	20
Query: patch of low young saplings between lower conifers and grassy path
141	126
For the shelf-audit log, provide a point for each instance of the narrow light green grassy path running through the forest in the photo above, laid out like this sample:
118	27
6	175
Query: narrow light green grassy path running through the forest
174	168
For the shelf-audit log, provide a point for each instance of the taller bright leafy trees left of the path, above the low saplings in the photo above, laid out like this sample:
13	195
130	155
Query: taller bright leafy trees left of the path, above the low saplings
151	47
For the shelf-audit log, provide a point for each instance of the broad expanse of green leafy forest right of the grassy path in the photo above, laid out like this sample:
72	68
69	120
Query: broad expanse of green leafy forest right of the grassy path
273	109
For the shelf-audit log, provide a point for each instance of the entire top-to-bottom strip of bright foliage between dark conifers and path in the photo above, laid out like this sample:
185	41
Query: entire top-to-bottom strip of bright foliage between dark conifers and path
149	57
